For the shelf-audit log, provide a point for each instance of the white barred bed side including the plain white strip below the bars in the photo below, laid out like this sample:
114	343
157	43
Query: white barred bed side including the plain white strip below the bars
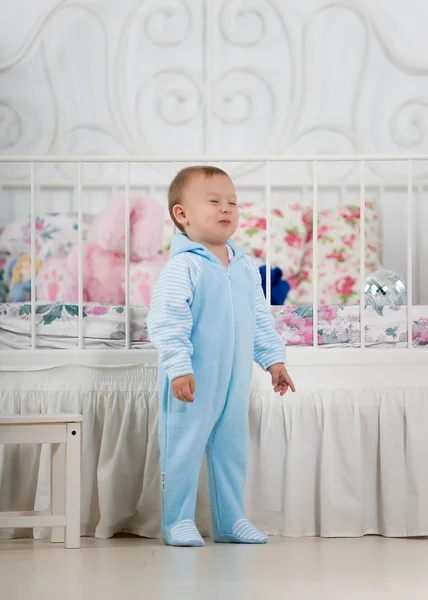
298	357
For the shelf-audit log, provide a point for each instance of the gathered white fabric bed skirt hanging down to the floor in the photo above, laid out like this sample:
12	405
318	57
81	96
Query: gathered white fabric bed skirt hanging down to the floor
322	463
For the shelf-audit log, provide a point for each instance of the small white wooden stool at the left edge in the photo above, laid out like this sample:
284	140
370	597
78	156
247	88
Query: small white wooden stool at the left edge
63	432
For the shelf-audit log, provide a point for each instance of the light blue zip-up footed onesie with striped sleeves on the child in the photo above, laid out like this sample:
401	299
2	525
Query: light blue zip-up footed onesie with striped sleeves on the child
212	322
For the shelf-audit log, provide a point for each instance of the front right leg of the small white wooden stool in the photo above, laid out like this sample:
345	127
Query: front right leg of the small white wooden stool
72	486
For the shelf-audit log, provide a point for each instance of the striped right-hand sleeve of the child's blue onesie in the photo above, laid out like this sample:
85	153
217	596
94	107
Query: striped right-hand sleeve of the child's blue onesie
269	349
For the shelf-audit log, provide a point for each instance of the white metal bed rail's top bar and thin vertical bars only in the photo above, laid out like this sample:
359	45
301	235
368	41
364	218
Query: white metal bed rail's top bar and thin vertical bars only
266	162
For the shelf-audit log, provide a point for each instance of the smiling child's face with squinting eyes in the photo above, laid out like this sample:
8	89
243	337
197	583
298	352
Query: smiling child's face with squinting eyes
210	209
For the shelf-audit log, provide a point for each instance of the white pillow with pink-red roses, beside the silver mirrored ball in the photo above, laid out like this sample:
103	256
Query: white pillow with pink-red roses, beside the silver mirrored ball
338	255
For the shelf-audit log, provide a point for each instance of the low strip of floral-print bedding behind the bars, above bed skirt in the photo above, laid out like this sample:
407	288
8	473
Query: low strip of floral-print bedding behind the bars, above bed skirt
104	326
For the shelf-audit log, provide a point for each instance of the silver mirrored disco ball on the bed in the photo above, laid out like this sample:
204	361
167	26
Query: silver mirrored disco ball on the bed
385	288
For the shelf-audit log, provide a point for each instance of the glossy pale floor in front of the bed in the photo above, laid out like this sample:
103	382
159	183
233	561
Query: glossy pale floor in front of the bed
285	569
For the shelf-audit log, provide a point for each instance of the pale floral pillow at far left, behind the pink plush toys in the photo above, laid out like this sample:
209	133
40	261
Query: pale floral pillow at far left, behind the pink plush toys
55	234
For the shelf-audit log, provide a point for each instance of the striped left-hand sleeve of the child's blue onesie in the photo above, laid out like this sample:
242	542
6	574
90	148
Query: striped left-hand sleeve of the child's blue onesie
170	319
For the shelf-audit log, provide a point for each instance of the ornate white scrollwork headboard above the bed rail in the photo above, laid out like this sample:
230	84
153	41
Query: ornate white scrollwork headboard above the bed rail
245	80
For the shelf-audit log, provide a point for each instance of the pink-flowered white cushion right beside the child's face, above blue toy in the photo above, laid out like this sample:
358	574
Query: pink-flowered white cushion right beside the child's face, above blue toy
288	234
